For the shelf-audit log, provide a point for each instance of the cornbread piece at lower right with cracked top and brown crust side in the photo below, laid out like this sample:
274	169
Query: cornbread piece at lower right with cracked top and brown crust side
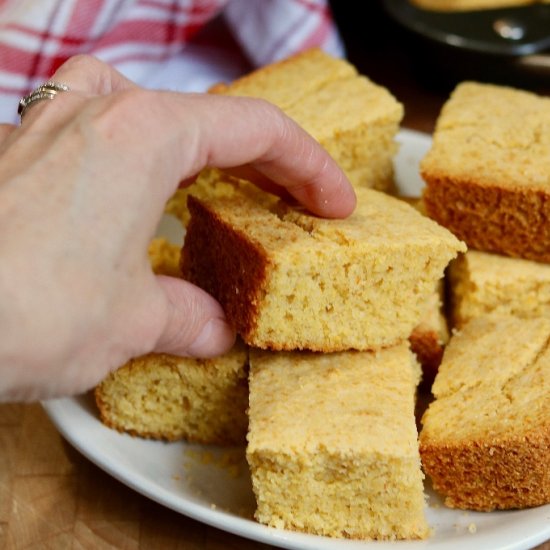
485	440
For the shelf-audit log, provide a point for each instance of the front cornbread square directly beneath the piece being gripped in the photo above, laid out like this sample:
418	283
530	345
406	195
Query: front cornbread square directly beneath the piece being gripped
332	443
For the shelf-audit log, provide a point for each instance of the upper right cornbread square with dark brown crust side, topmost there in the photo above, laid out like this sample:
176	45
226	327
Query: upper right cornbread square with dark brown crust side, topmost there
488	171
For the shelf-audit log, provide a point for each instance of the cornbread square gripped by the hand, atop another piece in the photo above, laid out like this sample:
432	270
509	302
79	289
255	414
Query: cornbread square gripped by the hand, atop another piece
290	280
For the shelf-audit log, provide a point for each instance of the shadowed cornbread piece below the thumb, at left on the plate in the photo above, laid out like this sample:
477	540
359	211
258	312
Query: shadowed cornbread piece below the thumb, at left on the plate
162	396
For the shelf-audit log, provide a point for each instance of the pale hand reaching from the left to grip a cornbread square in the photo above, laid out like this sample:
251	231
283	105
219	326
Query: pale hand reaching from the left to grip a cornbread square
83	184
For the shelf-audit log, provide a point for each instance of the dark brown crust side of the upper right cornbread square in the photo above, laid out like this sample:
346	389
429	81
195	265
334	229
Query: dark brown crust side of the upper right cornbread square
510	221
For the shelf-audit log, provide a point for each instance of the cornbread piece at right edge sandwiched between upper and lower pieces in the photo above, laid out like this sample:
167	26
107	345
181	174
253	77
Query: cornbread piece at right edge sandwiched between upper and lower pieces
481	283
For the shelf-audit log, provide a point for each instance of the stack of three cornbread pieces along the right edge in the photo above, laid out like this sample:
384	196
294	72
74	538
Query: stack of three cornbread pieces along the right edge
485	440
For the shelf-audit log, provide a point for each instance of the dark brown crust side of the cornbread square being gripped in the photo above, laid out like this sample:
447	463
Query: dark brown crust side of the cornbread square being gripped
238	291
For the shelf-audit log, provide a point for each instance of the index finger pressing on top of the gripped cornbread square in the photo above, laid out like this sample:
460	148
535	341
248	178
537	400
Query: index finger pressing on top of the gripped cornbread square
259	134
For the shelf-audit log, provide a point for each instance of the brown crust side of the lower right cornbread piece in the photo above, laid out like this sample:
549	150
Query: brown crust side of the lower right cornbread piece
504	473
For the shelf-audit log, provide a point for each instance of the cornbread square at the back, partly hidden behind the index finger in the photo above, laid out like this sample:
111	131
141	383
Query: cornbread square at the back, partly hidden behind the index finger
355	119
